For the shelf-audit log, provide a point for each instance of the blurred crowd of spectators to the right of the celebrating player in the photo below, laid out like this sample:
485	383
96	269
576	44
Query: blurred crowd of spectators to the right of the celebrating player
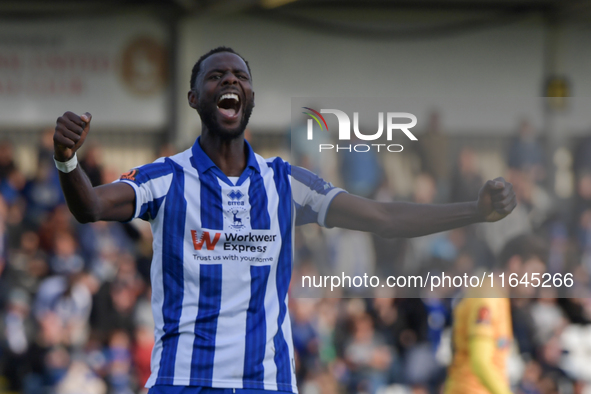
392	344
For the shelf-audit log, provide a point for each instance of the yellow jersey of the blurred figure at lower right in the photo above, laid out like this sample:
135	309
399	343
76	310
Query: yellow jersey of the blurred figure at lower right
488	318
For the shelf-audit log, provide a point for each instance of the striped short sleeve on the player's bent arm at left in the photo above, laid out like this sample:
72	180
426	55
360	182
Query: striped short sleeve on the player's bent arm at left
150	183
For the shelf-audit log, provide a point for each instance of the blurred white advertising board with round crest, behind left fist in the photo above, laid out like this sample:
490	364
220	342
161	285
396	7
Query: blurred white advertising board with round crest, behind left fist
116	68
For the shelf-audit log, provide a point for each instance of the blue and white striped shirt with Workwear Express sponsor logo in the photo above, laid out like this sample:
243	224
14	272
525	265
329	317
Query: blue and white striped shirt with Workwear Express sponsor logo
222	265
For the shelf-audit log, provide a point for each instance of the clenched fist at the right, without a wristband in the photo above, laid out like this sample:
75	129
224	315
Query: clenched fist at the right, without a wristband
496	199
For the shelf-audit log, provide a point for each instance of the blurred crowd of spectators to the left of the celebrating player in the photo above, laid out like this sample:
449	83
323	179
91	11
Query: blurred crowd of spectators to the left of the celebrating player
74	299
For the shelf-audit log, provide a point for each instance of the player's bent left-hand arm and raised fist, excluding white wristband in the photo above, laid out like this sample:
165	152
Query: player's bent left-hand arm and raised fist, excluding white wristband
115	201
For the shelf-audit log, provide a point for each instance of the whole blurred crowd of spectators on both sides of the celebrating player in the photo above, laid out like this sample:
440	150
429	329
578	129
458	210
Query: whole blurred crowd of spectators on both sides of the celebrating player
75	299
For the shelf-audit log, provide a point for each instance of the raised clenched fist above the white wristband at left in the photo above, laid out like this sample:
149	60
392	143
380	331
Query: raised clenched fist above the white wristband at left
70	132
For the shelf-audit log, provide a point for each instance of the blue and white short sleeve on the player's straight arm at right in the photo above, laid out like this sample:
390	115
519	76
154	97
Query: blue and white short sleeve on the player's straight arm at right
312	196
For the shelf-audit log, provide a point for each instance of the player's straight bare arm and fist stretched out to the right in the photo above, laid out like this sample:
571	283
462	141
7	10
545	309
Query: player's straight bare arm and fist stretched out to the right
496	200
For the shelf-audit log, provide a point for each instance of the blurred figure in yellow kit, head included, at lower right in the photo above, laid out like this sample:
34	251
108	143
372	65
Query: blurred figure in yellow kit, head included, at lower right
482	330
